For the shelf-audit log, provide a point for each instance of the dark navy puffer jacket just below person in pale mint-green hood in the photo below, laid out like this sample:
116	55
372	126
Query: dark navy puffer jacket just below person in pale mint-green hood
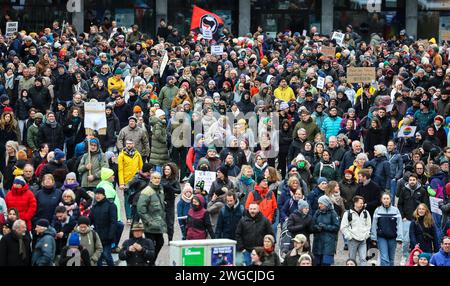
104	218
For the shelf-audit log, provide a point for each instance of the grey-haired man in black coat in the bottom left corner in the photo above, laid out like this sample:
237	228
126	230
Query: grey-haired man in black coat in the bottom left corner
15	247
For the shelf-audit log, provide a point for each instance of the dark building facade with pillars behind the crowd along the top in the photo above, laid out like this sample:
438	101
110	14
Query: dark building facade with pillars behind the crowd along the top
421	18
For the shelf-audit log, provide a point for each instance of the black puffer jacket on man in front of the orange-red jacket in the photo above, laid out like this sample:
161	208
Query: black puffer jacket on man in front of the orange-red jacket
250	231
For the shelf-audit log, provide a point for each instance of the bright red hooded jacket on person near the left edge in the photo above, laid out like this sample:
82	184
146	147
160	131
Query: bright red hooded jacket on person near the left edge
24	201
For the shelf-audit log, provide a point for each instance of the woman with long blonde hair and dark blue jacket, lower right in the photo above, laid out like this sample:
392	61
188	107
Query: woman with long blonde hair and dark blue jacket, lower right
423	231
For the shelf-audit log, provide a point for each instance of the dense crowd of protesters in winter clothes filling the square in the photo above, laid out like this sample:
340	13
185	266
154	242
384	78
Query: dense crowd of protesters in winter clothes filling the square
284	144
